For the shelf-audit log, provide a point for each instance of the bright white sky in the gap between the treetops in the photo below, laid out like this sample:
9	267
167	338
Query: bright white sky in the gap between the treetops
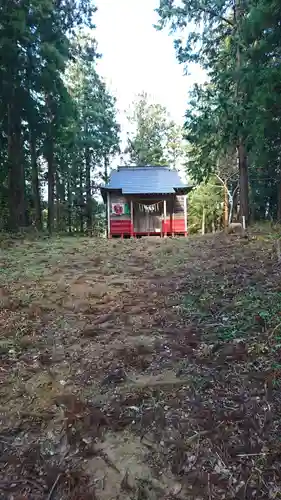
136	57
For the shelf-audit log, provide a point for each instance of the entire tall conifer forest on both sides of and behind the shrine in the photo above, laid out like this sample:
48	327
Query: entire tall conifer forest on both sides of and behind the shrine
59	121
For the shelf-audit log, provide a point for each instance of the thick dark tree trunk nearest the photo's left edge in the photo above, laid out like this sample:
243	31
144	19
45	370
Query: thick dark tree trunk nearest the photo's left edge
16	181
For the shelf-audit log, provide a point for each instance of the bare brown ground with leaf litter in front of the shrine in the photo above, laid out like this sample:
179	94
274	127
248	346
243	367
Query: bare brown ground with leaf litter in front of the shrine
140	369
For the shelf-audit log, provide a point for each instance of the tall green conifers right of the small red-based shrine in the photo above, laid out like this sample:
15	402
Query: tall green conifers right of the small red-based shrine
233	120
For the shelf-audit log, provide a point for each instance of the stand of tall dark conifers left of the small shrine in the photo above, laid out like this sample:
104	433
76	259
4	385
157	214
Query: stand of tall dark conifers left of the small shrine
58	120
